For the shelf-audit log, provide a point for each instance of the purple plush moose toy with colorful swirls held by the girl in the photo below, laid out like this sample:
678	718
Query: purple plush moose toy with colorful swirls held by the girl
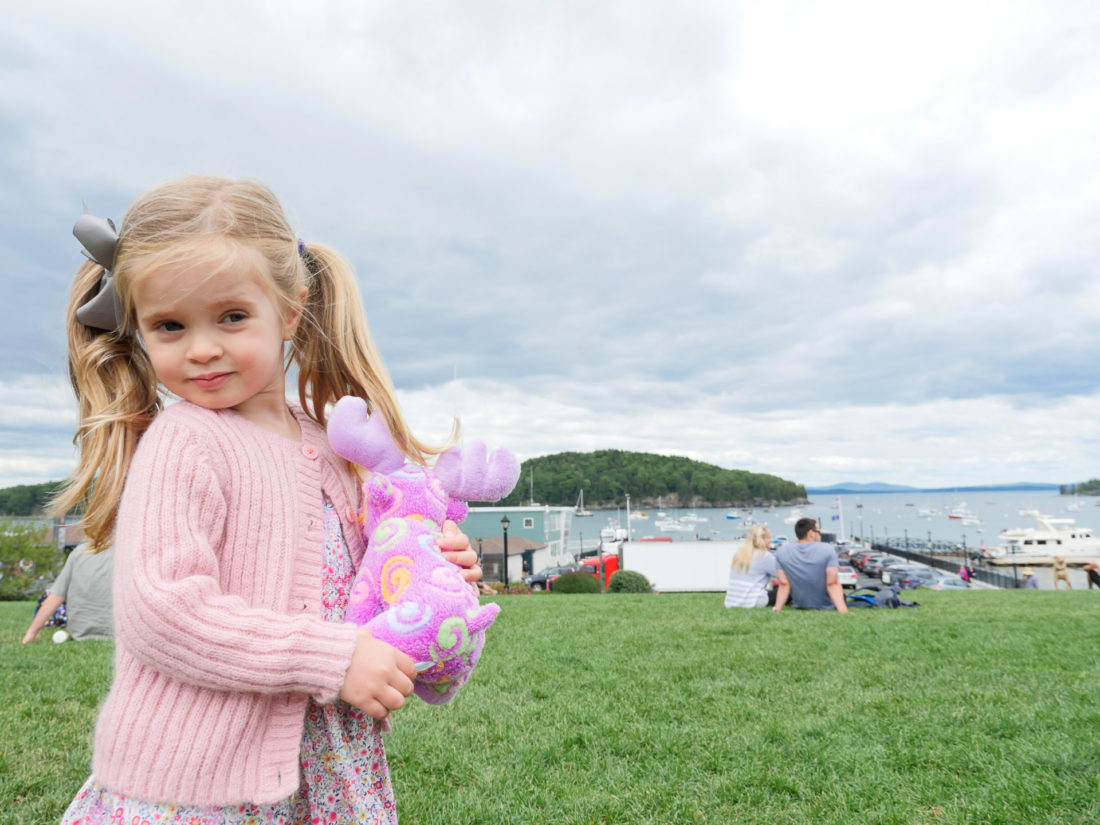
406	593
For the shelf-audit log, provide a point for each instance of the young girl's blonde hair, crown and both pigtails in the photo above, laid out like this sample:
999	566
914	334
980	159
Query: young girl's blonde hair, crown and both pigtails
116	387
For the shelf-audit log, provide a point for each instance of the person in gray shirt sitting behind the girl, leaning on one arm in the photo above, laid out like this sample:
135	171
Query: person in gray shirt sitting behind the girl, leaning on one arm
85	586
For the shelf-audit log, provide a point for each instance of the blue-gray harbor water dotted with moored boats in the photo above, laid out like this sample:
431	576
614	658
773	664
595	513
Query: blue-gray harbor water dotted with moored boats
918	519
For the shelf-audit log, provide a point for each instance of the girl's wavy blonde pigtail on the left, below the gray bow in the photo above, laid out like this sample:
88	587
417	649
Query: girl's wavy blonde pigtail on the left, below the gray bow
116	391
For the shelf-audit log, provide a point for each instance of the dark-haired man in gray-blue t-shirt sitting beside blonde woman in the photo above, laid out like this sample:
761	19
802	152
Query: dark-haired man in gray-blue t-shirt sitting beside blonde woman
808	571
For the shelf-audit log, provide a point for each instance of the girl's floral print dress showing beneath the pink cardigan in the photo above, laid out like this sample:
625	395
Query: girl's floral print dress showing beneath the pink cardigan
345	776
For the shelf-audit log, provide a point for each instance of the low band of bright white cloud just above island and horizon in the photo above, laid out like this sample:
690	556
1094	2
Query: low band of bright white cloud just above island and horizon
987	441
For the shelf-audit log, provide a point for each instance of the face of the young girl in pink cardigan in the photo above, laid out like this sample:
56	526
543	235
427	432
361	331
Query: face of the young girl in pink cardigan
215	333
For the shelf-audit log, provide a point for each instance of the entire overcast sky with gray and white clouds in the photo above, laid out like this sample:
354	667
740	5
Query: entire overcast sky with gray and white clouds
832	241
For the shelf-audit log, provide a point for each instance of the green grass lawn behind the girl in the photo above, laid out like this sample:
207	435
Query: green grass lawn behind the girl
976	708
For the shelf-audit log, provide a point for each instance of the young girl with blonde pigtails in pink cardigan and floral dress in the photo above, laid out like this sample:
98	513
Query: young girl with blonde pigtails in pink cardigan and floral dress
234	523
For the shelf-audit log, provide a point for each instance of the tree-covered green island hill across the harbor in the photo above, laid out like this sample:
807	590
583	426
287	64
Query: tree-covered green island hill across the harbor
607	477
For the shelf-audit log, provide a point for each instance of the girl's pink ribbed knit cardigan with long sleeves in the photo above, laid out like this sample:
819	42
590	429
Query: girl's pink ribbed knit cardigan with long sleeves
219	641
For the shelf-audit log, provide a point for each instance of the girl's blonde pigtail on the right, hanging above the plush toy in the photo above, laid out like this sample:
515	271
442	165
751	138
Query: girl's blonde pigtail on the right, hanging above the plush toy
336	356
